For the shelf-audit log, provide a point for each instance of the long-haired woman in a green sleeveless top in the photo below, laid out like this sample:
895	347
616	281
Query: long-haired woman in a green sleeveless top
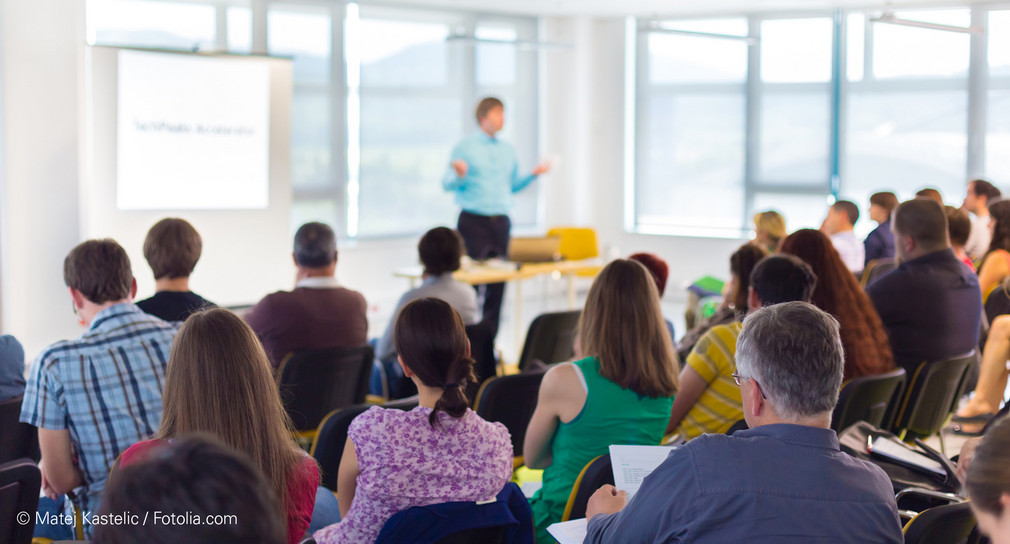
621	394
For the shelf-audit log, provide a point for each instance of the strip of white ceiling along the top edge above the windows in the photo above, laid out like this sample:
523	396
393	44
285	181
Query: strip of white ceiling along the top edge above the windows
650	9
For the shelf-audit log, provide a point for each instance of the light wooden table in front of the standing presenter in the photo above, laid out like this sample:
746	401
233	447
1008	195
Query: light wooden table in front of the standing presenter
477	275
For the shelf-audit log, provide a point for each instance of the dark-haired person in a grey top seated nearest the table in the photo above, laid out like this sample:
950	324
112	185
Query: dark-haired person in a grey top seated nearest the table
440	251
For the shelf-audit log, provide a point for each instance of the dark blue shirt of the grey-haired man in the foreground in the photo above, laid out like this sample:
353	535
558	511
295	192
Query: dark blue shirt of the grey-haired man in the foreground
776	484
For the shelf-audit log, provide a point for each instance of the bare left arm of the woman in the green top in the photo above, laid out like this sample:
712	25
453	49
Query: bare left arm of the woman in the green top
561	399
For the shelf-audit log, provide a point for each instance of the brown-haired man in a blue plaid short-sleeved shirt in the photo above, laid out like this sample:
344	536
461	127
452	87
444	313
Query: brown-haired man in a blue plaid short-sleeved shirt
94	397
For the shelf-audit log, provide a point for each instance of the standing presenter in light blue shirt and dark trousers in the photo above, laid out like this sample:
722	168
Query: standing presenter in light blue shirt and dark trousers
484	173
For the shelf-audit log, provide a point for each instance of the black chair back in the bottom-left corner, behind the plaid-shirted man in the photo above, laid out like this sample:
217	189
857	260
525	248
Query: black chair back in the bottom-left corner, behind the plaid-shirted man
21	482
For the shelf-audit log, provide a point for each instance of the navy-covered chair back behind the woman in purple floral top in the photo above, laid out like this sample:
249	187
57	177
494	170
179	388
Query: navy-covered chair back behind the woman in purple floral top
507	520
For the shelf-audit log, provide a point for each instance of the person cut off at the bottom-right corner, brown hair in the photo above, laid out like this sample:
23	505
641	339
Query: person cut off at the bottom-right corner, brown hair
988	484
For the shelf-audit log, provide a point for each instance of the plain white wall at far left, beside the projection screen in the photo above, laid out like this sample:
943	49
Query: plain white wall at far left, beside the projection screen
43	113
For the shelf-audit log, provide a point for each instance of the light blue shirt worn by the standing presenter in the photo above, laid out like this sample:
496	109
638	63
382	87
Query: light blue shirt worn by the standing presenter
492	176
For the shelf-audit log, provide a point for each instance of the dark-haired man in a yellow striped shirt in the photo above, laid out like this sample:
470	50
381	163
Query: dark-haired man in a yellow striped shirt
709	400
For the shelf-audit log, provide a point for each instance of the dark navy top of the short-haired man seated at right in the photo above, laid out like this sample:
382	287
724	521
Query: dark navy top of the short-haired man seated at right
932	308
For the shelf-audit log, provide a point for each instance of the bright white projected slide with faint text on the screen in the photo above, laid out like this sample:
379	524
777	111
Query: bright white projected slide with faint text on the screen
193	133
